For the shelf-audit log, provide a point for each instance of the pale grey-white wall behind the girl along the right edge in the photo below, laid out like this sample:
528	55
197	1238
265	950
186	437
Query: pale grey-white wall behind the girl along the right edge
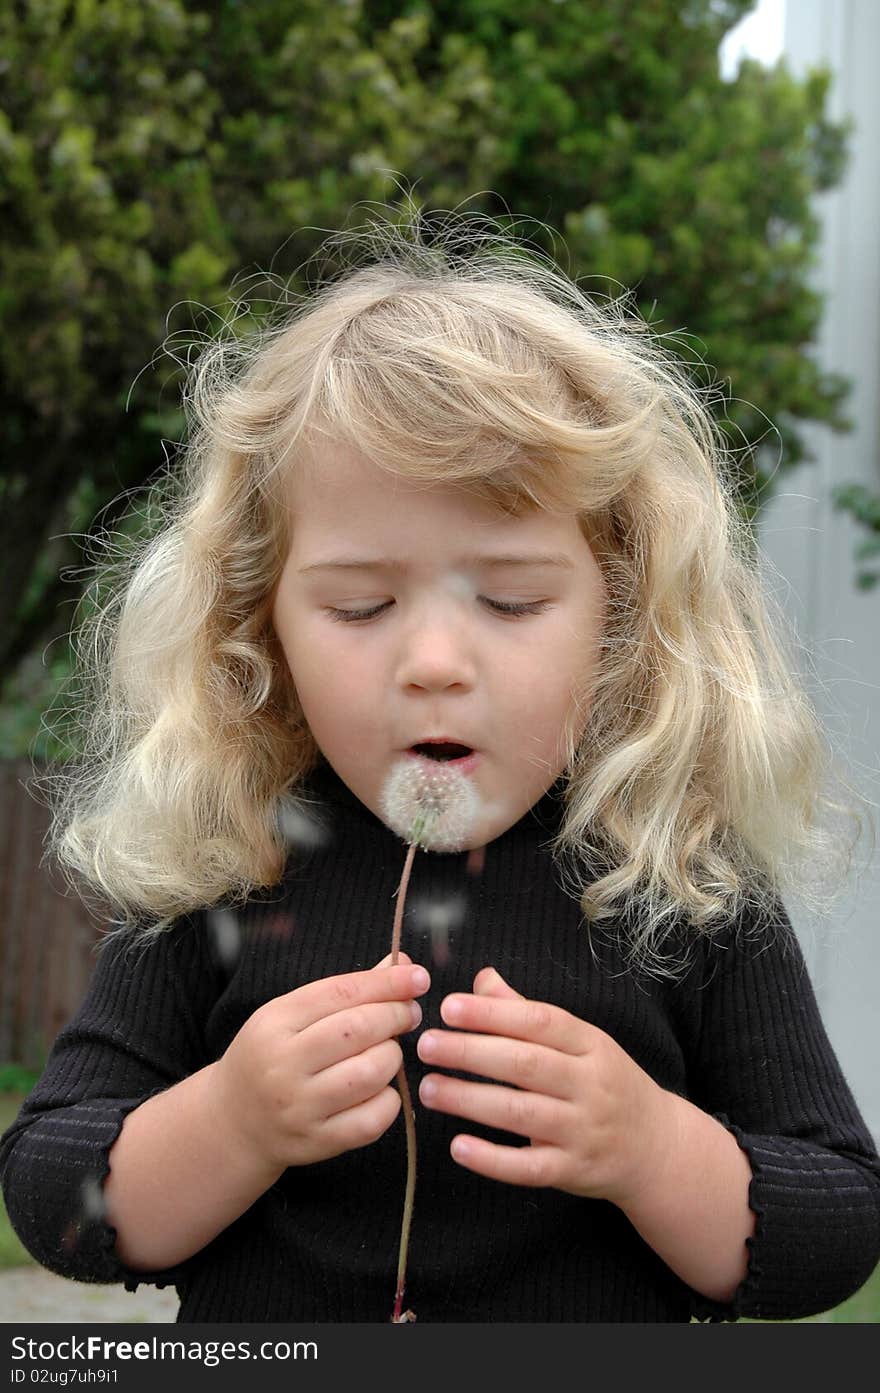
811	545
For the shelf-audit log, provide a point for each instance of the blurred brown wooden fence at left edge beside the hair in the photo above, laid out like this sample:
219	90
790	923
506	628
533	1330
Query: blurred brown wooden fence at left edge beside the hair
47	935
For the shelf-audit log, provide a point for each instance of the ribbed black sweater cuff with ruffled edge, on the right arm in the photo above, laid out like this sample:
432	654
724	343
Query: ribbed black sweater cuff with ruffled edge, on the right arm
815	1238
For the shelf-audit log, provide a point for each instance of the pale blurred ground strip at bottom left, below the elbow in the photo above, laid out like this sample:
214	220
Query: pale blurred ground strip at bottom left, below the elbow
37	1295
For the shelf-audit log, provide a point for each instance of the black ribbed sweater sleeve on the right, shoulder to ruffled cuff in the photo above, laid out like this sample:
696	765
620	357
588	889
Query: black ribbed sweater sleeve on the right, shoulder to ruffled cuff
767	1071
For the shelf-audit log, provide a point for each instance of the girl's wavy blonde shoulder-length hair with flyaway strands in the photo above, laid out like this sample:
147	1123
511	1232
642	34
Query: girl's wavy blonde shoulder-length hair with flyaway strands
698	788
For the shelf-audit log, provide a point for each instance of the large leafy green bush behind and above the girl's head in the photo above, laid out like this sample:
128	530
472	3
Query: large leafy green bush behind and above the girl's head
171	166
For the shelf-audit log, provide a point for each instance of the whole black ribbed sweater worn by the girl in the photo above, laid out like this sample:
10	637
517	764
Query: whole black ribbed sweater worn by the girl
740	1036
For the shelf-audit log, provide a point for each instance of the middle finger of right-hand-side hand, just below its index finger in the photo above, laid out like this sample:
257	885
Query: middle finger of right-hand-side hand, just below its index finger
510	1061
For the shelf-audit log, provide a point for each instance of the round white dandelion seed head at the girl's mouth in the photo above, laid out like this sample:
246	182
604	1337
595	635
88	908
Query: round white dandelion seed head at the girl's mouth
430	807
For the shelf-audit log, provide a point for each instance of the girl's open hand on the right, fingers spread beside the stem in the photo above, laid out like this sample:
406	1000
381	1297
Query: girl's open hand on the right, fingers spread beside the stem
599	1126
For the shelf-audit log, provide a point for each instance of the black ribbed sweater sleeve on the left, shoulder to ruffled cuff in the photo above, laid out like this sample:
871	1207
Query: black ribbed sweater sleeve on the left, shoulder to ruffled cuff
137	1033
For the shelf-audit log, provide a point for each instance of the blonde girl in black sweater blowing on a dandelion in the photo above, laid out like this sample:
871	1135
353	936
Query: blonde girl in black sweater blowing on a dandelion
449	509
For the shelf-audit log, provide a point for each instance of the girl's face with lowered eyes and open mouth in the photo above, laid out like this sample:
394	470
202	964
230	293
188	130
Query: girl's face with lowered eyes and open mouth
395	615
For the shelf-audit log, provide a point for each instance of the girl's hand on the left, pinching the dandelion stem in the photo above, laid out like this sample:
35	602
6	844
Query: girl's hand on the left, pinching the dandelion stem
310	1075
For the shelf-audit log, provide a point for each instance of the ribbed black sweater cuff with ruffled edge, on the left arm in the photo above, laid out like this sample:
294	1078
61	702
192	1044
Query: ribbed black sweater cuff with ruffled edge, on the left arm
69	1153
